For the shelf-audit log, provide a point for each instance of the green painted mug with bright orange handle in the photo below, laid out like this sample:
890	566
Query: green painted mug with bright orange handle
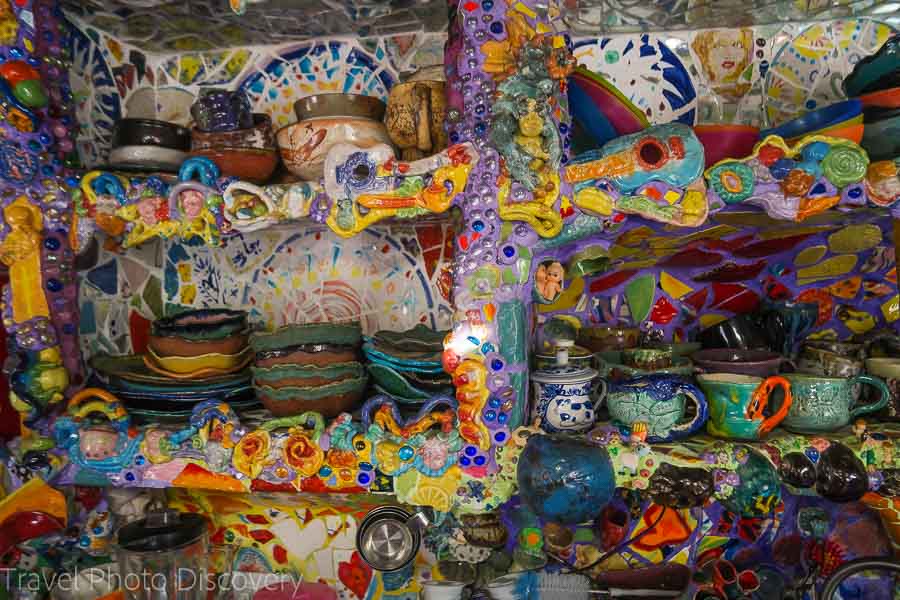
736	404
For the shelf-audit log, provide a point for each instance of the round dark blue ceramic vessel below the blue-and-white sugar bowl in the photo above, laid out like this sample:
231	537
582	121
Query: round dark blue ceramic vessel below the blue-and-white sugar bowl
565	480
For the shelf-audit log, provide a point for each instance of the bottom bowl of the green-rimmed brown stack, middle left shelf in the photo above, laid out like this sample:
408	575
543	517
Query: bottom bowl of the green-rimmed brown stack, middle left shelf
329	400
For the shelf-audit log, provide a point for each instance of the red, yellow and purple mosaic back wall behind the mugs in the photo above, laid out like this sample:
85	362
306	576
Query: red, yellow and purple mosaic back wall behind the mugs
830	259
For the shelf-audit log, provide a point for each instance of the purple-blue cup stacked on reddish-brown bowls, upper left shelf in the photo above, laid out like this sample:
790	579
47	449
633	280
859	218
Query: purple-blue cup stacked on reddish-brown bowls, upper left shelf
241	143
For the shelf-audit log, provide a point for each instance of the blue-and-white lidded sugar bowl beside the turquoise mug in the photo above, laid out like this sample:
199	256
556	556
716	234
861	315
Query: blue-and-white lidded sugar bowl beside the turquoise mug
566	395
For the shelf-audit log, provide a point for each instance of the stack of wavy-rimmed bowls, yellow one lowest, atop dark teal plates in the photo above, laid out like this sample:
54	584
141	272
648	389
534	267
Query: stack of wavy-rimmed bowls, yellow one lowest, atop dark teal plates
199	344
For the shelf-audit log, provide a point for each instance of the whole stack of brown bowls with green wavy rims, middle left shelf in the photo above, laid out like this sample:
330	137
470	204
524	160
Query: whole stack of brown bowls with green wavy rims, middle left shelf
311	367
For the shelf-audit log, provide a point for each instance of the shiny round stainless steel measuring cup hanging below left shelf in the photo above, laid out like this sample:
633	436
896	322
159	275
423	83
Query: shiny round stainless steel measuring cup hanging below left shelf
388	538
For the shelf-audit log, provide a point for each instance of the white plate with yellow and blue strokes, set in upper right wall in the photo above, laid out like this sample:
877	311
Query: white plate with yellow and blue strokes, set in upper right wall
808	72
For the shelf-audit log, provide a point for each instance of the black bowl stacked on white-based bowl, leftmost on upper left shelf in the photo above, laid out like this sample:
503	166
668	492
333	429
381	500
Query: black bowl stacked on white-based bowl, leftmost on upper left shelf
148	145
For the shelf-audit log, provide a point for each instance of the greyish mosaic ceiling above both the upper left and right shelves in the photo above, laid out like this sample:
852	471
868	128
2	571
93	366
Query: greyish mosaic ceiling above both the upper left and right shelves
158	26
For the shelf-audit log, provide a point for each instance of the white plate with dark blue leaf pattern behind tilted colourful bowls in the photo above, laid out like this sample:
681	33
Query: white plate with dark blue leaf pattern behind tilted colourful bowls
646	72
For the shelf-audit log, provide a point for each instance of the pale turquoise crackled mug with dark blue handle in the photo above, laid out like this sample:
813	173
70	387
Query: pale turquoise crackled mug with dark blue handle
660	403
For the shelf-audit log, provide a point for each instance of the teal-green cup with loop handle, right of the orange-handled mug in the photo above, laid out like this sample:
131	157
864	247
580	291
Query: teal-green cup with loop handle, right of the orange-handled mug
824	404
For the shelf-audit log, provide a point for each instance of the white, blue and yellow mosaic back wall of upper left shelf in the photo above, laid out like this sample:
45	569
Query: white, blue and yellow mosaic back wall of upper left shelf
112	78
